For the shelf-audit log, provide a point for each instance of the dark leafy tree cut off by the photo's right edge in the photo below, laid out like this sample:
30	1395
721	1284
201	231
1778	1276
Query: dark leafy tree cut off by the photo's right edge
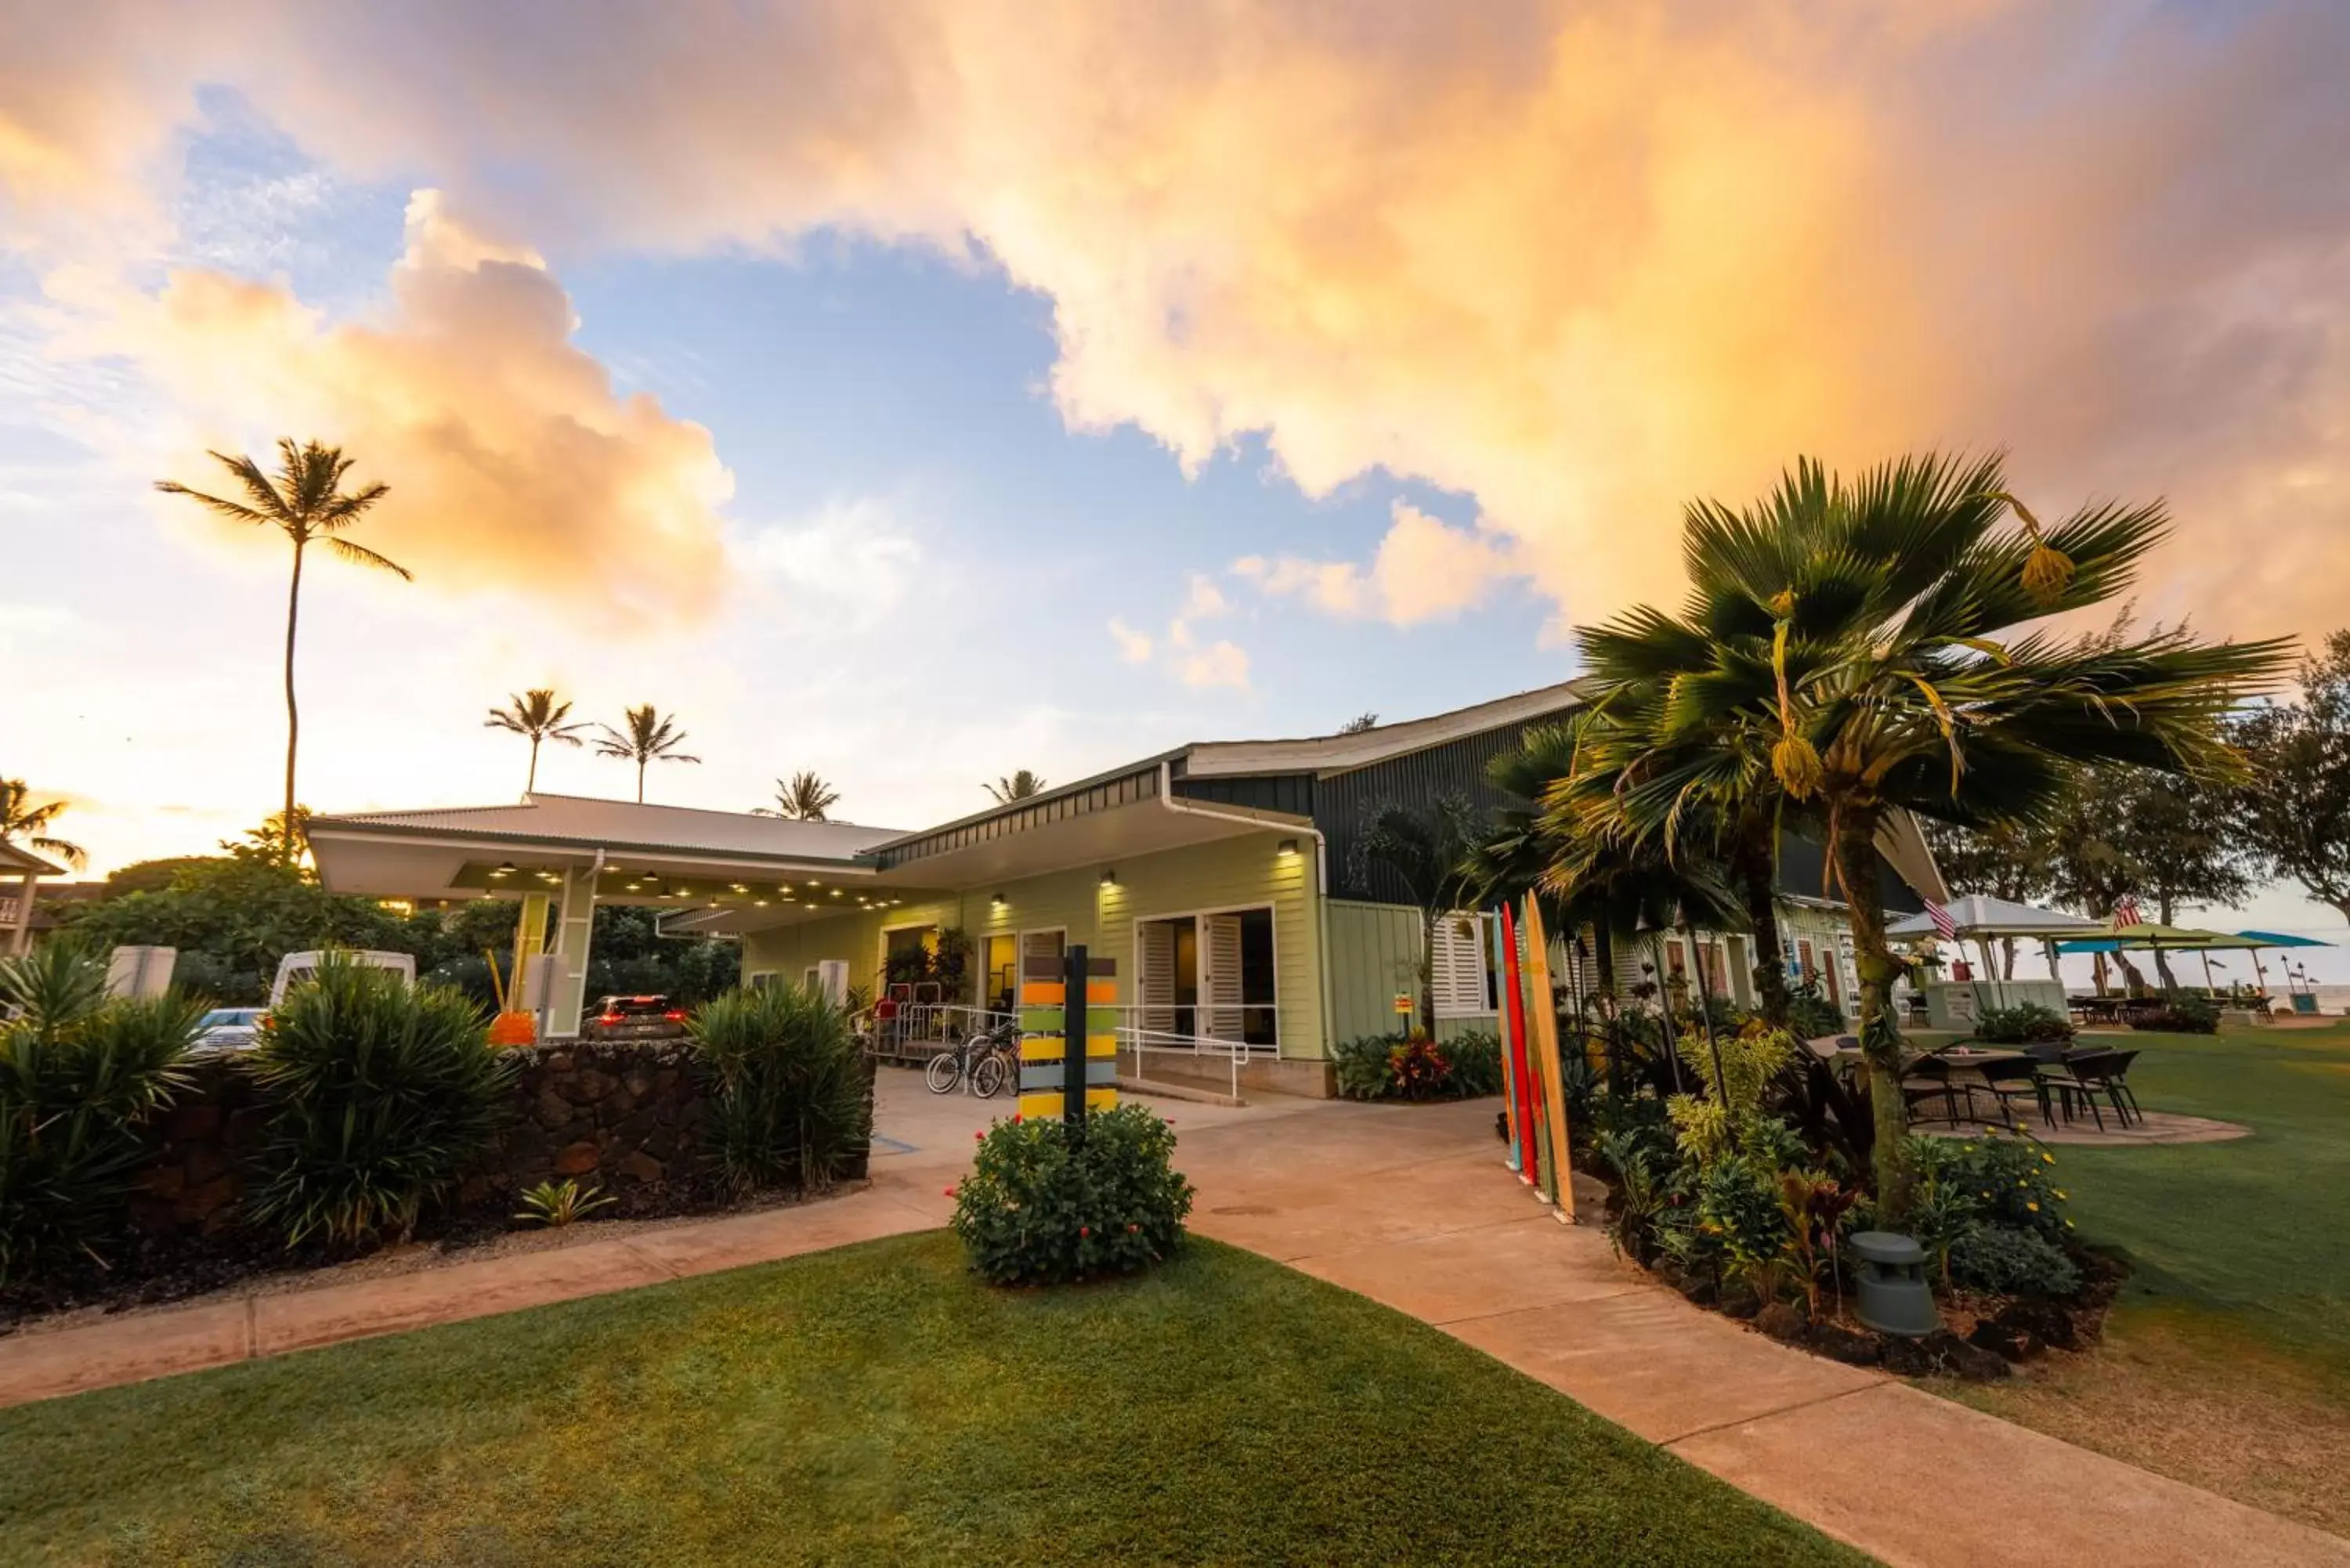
2297	798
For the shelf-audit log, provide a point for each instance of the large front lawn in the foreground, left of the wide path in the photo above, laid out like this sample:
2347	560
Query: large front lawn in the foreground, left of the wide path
878	1407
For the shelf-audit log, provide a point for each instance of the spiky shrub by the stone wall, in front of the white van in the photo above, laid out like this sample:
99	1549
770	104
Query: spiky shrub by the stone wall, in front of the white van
377	1099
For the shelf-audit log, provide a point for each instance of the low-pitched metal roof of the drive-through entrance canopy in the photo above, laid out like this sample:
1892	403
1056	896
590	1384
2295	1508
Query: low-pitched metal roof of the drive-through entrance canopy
622	824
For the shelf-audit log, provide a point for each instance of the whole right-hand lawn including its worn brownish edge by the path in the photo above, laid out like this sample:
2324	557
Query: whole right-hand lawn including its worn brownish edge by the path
2227	1362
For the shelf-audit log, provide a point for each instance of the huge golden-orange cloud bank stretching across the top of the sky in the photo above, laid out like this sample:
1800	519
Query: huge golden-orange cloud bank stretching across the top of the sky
1578	262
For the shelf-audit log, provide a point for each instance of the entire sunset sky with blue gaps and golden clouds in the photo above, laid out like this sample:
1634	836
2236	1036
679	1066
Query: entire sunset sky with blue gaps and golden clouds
927	391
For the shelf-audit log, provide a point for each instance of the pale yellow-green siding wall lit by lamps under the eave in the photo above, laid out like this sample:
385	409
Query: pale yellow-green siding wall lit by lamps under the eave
1249	871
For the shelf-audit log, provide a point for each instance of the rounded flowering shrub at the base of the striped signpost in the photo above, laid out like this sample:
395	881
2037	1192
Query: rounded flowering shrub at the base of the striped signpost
1047	1205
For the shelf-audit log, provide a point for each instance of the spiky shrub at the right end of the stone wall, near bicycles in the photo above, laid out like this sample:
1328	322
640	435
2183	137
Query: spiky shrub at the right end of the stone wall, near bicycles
791	1087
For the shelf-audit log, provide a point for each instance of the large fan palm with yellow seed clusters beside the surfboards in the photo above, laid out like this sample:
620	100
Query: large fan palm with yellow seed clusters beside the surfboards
1860	648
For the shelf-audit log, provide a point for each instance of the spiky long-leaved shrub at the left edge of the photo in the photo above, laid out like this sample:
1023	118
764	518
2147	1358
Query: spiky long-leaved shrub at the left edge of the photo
79	1076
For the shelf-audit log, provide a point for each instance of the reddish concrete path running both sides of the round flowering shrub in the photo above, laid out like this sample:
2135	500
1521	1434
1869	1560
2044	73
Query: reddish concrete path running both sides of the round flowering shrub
1414	1209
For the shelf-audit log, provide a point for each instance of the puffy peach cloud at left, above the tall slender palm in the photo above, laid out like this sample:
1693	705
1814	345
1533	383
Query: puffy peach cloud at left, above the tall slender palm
511	460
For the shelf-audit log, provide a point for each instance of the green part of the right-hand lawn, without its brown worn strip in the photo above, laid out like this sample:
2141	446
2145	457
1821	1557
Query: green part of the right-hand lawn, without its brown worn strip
2252	1228
